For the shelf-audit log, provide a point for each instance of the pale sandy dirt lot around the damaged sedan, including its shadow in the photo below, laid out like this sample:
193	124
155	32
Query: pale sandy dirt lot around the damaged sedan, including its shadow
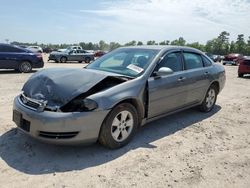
188	149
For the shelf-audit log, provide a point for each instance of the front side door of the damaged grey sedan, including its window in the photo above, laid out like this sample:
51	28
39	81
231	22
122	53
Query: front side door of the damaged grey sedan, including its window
167	93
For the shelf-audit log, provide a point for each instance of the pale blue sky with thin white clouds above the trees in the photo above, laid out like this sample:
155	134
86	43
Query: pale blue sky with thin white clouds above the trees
64	21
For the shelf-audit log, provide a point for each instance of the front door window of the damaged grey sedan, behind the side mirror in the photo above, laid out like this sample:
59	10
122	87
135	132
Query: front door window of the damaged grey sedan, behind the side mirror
172	61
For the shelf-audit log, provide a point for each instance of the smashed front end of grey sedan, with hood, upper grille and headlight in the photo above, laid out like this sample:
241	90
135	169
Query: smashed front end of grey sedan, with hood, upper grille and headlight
48	92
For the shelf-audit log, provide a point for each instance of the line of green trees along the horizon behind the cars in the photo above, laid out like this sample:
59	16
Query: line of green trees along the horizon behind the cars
220	45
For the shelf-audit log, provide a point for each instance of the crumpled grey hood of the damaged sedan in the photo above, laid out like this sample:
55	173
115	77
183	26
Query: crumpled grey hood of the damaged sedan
58	86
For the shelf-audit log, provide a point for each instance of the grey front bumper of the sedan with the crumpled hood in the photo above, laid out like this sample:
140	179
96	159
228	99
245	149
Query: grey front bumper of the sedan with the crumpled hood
59	127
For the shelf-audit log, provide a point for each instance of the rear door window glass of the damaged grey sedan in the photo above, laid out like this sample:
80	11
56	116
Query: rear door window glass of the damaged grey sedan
192	60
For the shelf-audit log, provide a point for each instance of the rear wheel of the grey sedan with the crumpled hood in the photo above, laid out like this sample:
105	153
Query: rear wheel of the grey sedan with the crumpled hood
210	99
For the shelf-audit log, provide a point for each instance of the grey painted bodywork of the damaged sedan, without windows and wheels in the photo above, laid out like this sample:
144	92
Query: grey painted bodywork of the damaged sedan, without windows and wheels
152	96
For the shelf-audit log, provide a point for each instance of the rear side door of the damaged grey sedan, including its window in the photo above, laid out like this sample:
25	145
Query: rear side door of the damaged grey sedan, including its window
198	75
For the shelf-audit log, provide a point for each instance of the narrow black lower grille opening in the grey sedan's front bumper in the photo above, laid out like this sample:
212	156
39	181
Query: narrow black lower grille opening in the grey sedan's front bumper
57	135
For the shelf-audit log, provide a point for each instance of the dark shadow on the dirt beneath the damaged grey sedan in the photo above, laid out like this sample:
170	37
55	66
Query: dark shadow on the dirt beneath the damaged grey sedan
33	157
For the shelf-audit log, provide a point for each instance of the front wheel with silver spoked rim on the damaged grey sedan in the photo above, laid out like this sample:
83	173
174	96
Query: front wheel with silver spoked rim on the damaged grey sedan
109	130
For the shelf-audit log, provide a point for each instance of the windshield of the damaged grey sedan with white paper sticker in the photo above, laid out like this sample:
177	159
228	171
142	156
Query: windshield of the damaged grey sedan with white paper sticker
126	61
